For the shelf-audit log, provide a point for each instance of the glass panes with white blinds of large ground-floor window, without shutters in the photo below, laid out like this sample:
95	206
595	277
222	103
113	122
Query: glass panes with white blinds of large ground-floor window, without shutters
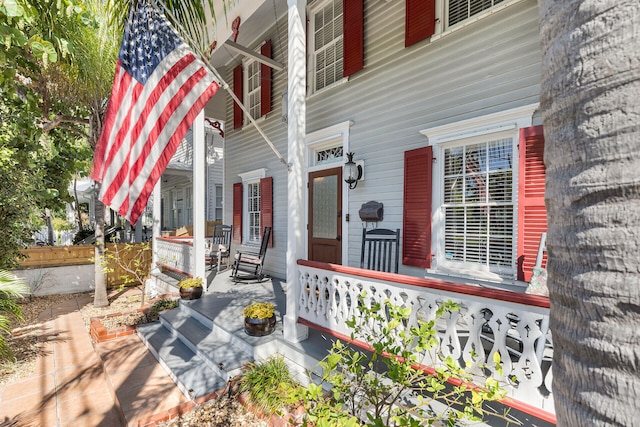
478	203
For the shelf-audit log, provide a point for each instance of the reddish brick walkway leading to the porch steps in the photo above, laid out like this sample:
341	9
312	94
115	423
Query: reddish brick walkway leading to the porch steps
117	383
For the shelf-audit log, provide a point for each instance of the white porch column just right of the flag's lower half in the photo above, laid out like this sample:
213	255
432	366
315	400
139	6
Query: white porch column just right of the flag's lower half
198	198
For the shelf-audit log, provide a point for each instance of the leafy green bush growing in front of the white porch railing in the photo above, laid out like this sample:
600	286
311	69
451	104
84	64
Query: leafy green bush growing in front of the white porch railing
386	386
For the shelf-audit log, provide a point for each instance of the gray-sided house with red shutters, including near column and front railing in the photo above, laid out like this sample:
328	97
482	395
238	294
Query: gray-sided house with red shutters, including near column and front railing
437	100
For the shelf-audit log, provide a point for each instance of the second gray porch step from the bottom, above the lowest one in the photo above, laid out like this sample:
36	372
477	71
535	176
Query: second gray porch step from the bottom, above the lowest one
223	355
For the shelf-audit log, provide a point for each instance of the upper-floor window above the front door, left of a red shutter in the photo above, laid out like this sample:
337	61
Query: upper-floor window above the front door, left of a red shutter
326	27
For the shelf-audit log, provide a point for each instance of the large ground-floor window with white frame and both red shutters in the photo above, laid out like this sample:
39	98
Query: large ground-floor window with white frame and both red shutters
474	197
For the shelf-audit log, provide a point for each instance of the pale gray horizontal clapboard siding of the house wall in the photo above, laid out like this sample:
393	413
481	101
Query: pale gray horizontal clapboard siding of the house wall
486	67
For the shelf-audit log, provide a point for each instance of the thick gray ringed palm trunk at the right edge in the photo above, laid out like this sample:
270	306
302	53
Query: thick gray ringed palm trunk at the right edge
590	98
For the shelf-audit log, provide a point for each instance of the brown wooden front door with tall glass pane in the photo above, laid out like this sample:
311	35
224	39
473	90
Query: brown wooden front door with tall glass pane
325	216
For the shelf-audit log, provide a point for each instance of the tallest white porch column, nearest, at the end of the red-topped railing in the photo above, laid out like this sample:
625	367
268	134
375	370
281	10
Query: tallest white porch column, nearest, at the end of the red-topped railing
296	115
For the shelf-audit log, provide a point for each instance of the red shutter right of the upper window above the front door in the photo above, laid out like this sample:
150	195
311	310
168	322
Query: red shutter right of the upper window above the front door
353	36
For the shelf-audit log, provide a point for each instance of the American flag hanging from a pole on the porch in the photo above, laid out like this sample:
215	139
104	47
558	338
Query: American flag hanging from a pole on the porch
158	90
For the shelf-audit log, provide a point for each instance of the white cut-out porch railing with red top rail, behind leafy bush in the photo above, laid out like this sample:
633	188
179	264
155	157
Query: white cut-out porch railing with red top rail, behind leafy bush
489	321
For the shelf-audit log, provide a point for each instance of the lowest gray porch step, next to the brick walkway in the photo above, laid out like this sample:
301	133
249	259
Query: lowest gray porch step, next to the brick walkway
190	372
